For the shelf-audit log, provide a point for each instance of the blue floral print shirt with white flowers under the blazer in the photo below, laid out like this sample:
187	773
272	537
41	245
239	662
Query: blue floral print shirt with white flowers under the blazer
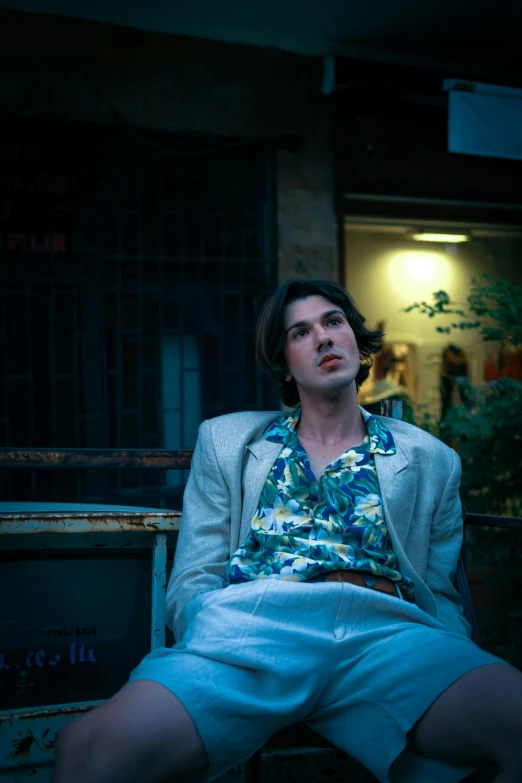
301	529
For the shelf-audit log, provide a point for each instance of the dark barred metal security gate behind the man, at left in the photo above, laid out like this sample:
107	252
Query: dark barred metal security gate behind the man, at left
133	267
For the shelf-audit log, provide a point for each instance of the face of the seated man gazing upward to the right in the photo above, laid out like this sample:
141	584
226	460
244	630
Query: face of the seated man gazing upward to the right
317	329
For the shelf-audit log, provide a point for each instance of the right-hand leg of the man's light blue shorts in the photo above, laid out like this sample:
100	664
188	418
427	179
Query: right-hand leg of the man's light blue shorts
393	662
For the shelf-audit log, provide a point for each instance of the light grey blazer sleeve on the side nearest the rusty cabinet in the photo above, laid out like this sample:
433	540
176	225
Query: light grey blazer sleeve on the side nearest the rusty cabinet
203	547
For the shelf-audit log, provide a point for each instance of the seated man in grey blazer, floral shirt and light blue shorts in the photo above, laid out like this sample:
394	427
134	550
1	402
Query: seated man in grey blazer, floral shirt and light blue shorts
312	581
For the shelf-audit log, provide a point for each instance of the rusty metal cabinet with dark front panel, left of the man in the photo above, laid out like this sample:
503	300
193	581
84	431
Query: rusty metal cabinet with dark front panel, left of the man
66	648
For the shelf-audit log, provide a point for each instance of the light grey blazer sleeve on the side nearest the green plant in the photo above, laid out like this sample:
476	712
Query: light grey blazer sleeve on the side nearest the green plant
444	549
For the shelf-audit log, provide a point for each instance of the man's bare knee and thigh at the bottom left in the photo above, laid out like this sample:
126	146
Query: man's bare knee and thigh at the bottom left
143	734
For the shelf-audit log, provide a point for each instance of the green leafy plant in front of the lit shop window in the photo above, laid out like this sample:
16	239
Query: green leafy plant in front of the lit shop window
486	430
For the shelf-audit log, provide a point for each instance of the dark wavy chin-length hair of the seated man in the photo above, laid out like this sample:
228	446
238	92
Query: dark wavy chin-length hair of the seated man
271	337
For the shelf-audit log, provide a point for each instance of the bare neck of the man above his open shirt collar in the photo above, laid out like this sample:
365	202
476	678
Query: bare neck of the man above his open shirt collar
329	421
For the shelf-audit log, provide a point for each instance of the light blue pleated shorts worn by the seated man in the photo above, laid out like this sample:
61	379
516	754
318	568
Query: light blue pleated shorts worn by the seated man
359	666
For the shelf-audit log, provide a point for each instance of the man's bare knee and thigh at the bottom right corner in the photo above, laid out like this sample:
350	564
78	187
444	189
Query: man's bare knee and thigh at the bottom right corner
477	719
